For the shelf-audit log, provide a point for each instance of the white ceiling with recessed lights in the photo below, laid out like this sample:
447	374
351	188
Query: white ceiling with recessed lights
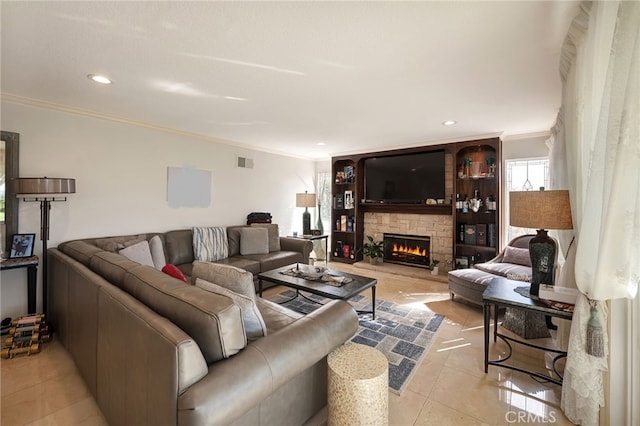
286	76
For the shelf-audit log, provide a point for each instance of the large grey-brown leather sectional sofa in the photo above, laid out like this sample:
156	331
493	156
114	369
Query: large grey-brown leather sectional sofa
154	350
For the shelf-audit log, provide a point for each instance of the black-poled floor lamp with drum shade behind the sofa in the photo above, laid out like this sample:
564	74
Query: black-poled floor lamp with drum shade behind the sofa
45	191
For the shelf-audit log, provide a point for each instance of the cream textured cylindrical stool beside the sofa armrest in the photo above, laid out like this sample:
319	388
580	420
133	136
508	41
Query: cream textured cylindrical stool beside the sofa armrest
358	386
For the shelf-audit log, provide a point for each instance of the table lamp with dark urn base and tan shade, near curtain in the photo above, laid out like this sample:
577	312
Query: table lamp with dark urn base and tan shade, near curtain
542	210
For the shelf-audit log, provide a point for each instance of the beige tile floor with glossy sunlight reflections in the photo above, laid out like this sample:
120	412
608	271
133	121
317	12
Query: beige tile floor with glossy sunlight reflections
449	388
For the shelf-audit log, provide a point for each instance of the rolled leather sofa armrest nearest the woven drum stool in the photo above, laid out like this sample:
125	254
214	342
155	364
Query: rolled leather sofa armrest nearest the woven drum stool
237	384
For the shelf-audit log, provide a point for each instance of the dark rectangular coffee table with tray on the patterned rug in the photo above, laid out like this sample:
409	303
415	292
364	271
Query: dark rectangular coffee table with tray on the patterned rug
344	292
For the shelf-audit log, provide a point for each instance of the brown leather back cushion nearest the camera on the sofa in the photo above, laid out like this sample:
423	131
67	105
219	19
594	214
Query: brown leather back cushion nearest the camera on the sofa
212	320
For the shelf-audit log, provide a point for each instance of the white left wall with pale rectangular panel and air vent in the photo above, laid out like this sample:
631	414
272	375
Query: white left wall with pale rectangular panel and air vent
121	179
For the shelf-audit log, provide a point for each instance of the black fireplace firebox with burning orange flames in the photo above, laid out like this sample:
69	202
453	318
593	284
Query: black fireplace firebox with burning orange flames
413	250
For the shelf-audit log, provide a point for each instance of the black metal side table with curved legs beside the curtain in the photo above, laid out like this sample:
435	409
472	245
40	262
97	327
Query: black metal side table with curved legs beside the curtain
501	292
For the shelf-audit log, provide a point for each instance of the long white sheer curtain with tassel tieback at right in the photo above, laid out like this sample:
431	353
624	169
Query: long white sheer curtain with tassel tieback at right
596	154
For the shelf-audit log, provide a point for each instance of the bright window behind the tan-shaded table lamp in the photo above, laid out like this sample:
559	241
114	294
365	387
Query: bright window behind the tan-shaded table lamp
523	175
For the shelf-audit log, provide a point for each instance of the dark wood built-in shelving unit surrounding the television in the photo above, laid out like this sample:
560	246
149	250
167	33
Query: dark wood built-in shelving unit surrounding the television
348	178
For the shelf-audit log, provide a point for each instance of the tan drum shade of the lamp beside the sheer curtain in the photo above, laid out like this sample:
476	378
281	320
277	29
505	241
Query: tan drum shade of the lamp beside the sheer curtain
540	209
